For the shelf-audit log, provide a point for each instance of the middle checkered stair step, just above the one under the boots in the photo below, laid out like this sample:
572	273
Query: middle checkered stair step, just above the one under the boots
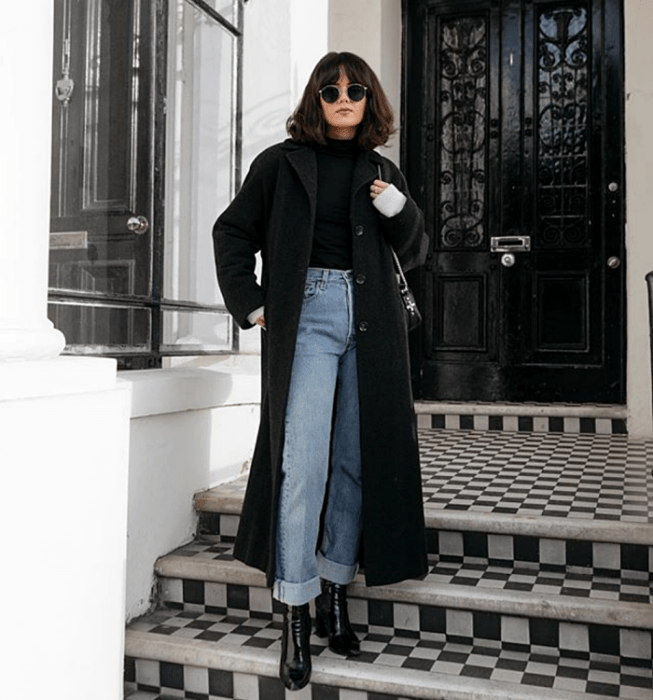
203	577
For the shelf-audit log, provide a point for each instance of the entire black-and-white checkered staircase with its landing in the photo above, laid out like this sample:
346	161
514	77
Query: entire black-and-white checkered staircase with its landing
540	585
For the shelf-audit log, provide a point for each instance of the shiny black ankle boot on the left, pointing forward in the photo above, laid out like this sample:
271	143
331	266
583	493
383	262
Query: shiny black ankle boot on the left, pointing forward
295	667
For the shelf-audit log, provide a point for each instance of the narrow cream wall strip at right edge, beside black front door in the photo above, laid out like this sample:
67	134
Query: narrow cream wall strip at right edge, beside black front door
639	209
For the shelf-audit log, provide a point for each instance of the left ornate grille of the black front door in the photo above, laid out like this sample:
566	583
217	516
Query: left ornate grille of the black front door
463	78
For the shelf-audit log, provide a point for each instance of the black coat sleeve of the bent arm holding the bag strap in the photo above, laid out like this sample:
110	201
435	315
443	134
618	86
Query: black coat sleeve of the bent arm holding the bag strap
405	231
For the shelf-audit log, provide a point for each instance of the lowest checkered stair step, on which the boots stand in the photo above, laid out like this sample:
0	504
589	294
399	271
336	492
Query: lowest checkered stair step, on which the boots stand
226	653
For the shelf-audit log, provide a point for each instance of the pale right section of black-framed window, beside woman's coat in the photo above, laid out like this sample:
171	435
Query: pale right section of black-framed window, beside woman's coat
201	171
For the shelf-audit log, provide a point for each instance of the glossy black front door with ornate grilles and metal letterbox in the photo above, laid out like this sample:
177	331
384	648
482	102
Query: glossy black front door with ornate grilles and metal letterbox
514	141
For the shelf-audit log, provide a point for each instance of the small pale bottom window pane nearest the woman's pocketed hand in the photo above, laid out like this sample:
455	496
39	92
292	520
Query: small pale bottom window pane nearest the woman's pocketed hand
197	331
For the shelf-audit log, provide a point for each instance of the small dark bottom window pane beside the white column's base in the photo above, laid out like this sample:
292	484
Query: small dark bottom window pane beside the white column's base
105	328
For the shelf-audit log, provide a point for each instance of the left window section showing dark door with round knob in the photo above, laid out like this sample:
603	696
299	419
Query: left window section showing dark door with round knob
100	269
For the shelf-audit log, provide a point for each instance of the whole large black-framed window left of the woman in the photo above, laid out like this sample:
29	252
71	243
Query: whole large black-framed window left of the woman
146	153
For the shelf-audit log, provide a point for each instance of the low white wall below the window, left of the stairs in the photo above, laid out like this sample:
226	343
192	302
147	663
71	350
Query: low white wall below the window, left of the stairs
191	429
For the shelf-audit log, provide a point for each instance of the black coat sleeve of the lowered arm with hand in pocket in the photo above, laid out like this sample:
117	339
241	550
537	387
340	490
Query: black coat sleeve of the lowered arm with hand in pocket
238	235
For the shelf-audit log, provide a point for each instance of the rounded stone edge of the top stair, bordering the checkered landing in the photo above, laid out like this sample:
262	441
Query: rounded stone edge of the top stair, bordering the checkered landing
608	531
